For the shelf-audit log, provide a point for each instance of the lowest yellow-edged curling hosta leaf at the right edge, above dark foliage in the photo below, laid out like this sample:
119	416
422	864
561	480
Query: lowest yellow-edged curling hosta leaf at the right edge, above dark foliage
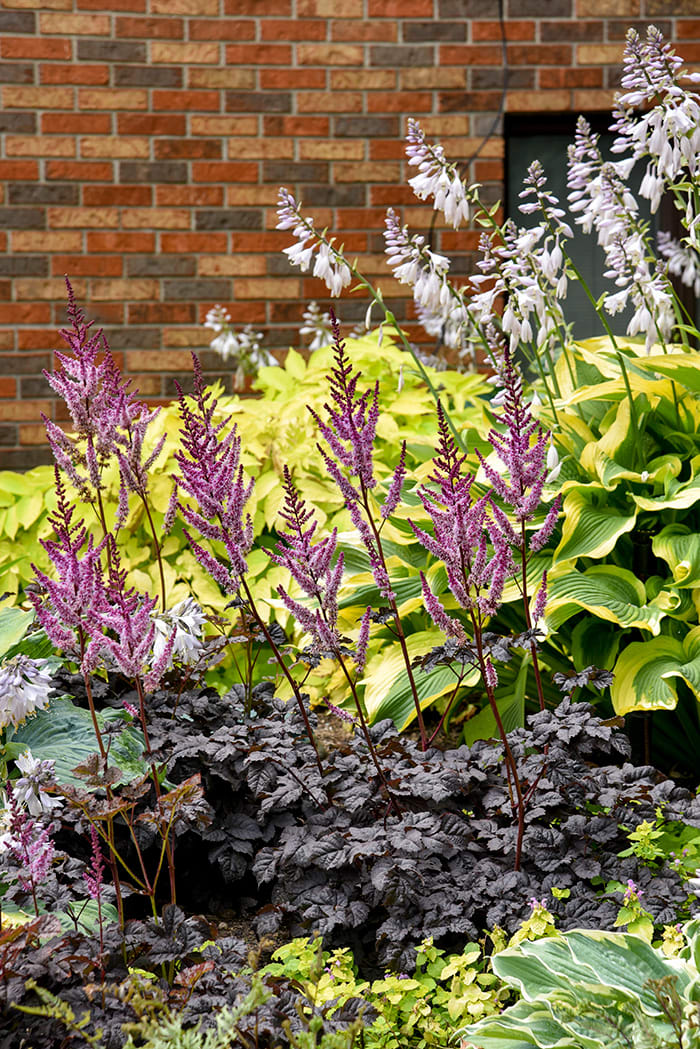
646	673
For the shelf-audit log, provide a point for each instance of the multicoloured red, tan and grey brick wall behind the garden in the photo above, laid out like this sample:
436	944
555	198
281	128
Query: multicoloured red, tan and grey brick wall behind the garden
142	148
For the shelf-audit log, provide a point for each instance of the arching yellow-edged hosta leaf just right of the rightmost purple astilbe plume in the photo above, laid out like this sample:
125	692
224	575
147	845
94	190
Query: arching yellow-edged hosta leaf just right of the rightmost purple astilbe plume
607	591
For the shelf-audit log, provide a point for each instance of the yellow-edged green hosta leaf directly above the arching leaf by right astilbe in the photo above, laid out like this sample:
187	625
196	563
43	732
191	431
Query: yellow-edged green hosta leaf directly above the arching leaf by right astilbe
591	525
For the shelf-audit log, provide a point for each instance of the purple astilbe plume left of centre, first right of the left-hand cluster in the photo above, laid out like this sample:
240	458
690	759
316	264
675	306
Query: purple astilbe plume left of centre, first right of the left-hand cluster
210	472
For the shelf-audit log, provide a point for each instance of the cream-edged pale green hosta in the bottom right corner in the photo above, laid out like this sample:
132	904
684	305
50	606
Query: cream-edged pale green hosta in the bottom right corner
593	990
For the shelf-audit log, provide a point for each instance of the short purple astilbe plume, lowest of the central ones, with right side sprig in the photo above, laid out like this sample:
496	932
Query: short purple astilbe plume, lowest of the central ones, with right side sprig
312	567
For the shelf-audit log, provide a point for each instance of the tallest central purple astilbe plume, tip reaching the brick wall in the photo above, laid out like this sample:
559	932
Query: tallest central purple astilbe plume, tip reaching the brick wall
350	434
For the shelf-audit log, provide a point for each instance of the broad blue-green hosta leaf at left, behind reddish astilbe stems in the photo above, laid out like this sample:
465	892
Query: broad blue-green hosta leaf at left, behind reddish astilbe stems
63	733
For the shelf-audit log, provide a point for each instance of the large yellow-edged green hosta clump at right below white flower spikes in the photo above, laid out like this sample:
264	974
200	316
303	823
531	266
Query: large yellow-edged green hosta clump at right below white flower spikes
628	565
